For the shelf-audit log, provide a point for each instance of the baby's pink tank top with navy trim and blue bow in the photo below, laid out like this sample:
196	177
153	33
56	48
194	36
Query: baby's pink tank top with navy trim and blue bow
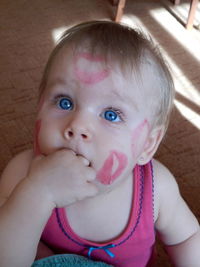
134	247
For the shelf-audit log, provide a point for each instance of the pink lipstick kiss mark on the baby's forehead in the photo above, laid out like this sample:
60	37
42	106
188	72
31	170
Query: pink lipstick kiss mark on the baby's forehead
98	74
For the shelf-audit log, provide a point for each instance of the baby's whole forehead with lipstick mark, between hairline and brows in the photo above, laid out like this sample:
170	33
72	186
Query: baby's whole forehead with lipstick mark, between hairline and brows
95	70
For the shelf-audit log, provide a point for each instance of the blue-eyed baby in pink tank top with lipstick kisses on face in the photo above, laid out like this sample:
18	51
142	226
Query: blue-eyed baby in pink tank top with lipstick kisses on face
90	186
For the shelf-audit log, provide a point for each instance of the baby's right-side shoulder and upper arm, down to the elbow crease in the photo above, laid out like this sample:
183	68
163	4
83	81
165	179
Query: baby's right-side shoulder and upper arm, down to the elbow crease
174	220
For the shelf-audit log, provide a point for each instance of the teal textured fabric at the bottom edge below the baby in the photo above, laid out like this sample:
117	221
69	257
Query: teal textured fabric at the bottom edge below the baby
68	260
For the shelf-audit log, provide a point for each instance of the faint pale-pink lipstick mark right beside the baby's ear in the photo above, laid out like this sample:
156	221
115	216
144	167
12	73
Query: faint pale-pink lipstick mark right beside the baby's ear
138	136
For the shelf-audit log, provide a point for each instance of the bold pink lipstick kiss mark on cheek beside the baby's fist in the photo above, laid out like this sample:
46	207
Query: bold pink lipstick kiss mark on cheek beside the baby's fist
105	174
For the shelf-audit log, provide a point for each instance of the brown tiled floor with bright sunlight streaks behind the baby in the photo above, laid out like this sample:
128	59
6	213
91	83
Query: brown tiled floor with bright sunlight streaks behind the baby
28	30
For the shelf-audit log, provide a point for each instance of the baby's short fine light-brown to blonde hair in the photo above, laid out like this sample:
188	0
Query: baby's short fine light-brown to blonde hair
130	48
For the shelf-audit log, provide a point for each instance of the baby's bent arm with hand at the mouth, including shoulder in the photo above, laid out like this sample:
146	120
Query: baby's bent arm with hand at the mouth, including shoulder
56	180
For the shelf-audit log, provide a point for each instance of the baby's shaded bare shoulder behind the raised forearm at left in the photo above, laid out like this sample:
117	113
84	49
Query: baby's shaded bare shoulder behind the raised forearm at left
14	172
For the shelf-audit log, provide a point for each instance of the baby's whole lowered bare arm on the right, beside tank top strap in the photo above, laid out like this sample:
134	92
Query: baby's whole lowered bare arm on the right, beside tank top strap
177	226
